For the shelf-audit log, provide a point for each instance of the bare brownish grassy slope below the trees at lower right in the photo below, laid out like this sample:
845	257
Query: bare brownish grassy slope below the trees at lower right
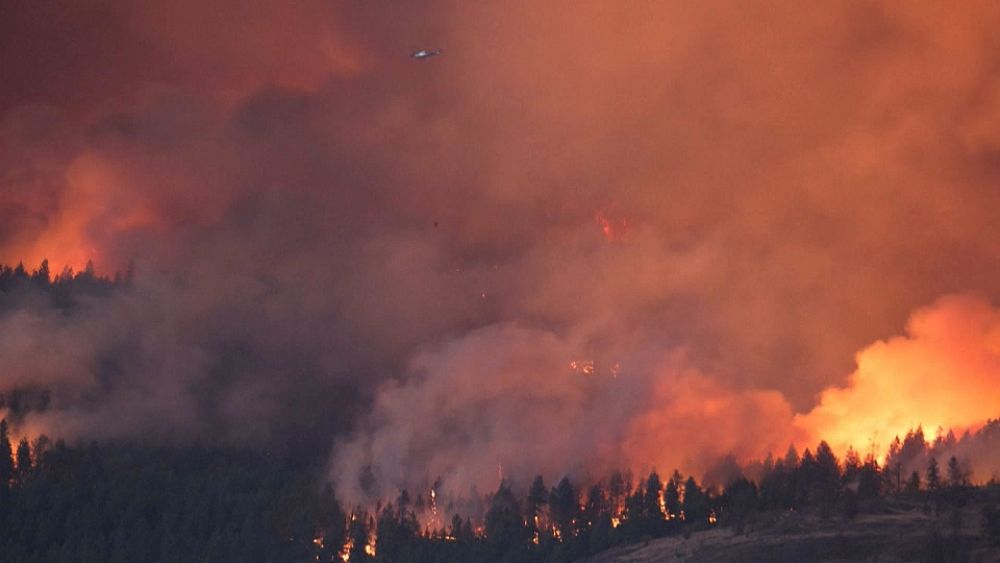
903	528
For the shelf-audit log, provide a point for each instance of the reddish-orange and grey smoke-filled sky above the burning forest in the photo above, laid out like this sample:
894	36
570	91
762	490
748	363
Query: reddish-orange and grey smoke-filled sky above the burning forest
727	200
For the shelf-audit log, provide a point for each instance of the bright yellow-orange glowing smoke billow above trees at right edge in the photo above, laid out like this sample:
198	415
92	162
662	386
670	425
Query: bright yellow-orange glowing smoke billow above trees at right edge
945	373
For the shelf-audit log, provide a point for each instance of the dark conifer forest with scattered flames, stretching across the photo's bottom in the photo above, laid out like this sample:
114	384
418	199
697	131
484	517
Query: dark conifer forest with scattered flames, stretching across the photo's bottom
133	502
